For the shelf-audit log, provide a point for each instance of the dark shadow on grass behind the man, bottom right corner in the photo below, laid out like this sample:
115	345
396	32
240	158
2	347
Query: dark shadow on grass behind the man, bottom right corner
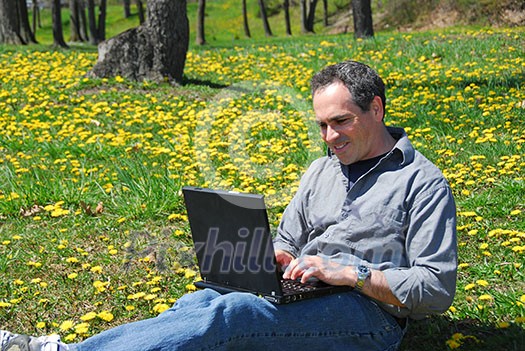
433	333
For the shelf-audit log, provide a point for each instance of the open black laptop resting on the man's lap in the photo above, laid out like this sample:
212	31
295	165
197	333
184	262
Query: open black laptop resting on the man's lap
234	247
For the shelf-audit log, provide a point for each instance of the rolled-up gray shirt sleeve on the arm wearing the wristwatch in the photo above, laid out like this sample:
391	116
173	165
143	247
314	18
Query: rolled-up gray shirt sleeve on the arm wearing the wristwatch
428	285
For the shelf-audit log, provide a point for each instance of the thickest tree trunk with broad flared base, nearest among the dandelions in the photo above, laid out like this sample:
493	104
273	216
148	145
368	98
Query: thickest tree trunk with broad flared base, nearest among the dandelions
155	50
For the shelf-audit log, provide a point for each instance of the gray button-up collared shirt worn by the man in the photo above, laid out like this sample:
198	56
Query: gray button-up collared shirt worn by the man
399	218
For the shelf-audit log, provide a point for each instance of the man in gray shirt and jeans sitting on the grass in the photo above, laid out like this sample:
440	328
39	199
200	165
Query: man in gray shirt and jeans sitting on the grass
374	214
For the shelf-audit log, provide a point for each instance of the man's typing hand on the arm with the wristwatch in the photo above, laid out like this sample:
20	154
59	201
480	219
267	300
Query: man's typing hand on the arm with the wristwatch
309	267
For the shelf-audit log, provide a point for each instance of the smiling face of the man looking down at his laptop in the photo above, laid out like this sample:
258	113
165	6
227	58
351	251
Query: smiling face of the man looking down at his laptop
349	132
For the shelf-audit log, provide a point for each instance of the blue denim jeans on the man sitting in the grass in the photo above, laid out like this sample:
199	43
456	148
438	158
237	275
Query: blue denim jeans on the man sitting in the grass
206	320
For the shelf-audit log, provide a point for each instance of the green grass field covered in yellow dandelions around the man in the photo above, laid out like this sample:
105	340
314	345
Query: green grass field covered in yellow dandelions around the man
93	231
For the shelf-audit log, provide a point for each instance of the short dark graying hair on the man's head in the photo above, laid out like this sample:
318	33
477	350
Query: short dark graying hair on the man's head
362	82
